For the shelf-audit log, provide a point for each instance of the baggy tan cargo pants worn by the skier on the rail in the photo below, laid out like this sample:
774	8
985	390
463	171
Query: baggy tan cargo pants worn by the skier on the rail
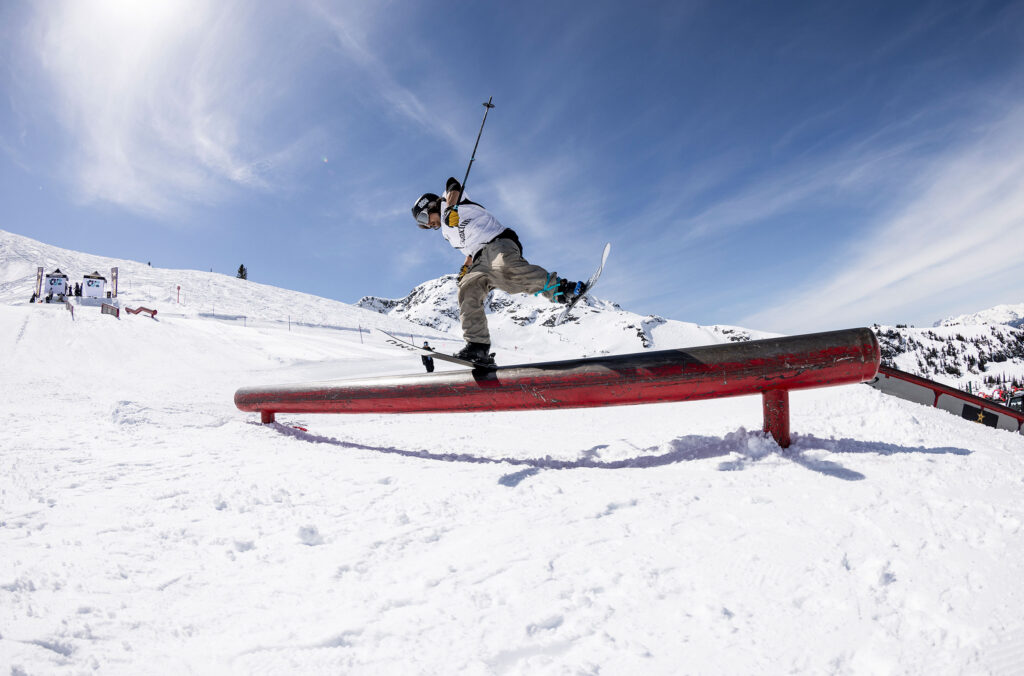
499	267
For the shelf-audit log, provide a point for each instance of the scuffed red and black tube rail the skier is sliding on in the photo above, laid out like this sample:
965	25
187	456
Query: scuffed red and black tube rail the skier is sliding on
772	367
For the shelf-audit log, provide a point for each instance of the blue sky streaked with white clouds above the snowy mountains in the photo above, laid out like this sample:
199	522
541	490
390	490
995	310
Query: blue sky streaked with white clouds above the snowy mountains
789	167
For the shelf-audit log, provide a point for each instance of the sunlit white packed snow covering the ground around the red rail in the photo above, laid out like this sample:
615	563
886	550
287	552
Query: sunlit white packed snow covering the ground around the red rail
147	526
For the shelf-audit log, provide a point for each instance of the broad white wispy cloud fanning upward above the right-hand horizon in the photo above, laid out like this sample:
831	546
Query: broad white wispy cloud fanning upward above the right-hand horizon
959	231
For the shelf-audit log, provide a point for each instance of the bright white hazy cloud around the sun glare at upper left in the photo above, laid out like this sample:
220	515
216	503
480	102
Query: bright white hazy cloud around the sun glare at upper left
154	101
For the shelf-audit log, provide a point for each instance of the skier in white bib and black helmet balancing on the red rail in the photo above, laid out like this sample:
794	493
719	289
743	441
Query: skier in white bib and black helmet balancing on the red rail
494	261
